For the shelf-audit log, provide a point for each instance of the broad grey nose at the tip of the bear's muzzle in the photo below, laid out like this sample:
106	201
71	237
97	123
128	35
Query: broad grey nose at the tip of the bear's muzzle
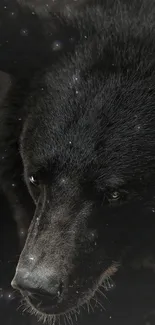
42	291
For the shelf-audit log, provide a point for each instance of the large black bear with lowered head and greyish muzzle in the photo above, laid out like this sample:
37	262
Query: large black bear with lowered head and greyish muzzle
77	135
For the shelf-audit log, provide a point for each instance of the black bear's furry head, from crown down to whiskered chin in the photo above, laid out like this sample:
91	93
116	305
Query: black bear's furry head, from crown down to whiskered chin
87	146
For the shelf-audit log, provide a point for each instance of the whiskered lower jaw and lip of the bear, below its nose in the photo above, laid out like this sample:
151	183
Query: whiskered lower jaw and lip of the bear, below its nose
45	310
